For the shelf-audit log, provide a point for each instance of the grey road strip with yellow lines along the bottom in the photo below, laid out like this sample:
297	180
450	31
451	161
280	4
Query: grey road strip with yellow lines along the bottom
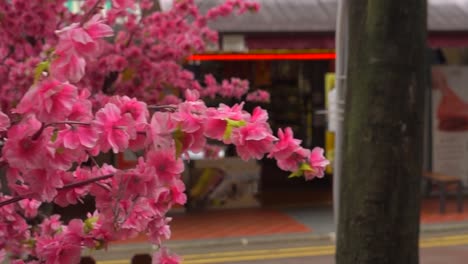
434	249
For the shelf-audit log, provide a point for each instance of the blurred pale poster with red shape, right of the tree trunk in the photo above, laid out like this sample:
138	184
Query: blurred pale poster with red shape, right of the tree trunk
450	121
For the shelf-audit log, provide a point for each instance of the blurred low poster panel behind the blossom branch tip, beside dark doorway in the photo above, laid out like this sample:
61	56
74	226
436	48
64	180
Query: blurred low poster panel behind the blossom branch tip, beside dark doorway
224	183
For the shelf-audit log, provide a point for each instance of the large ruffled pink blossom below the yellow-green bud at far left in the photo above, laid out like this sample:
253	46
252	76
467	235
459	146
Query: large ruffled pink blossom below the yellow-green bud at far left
50	101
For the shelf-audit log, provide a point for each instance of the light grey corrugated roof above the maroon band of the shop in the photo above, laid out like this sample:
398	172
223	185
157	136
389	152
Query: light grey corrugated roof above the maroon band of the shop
320	16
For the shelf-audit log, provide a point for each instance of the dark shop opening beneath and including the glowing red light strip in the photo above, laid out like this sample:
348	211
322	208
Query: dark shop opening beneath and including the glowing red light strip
295	81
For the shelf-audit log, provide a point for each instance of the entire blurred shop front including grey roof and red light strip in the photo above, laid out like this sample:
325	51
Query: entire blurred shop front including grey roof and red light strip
287	48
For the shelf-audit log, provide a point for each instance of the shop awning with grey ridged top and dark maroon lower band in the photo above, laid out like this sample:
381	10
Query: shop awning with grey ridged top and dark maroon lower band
308	24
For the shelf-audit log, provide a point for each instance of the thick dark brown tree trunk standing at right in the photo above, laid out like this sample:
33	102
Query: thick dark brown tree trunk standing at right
382	158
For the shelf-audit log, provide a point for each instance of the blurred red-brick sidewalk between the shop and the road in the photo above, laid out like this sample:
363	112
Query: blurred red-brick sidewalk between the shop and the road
260	225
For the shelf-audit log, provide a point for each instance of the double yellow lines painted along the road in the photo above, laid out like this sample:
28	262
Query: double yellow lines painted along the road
265	254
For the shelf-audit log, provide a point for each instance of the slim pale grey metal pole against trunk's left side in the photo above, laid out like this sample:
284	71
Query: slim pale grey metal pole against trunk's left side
341	48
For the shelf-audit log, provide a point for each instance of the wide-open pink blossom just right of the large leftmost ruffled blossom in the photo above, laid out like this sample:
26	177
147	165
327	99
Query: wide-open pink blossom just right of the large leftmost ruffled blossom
116	129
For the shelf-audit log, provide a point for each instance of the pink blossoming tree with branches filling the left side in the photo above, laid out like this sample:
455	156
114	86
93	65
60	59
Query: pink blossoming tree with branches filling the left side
77	85
